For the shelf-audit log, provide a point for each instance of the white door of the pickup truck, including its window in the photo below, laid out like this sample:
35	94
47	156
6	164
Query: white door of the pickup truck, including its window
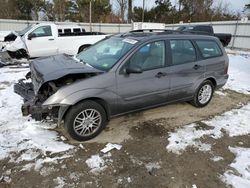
42	43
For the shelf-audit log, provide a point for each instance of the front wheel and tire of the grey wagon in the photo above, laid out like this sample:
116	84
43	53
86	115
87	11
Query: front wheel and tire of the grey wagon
85	120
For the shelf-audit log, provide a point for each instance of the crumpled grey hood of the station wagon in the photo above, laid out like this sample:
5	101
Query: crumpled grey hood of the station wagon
55	67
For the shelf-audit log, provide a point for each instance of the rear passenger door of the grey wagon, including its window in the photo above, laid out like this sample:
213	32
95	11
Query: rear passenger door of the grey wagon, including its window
186	69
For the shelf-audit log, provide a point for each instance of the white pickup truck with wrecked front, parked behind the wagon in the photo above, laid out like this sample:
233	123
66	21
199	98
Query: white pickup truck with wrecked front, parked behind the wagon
46	39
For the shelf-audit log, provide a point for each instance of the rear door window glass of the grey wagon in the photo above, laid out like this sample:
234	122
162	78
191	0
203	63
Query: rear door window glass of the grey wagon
183	51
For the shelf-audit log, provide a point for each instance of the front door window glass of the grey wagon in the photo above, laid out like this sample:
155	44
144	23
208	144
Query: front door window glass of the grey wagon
148	57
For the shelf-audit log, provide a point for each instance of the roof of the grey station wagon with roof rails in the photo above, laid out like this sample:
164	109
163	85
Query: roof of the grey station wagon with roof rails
140	35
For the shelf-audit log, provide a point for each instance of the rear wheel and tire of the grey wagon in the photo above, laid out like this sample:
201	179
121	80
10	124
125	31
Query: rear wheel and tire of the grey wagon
199	100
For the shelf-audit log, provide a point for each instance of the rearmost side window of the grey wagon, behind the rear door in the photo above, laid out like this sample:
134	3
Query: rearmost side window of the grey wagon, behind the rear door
208	48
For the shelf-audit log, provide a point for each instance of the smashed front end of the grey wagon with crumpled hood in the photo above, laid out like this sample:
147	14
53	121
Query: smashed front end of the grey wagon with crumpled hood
48	75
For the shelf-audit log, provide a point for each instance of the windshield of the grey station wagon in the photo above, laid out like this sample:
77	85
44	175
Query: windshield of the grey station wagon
105	54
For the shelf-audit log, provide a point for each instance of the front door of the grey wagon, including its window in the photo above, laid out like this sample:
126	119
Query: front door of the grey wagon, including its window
148	88
